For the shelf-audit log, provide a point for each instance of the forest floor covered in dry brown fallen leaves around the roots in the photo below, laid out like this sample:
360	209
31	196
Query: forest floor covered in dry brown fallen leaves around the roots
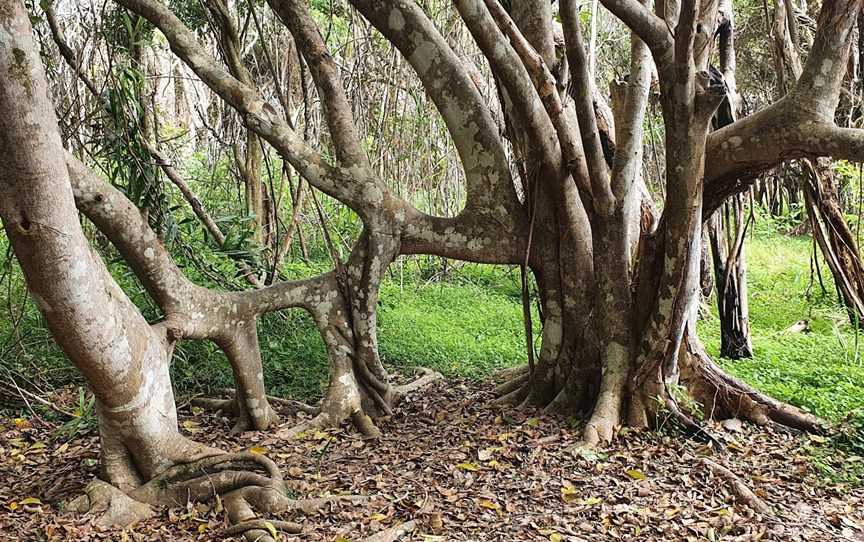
464	469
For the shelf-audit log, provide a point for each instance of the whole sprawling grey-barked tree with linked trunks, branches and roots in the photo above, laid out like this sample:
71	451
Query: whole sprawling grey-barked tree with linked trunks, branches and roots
617	285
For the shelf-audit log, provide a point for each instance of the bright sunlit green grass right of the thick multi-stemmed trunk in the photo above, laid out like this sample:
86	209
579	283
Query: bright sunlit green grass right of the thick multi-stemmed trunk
822	370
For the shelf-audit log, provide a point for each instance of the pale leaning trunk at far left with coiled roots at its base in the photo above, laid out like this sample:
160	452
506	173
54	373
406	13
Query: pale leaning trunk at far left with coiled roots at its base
145	460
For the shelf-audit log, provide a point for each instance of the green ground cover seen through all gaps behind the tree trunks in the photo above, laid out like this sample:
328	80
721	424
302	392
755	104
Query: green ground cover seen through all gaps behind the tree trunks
465	320
